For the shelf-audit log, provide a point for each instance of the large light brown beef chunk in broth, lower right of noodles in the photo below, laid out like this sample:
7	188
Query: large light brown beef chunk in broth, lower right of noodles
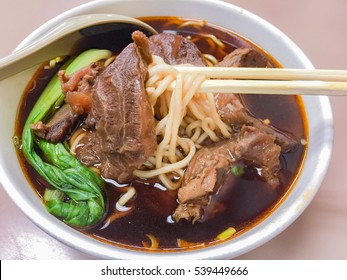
210	164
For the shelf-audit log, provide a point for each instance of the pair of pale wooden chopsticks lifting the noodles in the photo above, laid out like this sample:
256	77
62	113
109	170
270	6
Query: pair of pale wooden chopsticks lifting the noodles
270	80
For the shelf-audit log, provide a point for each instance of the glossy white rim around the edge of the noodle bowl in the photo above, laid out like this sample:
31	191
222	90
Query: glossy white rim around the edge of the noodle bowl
228	249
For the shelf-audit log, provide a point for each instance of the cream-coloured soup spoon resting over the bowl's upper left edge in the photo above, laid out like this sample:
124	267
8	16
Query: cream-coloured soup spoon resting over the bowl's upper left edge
62	40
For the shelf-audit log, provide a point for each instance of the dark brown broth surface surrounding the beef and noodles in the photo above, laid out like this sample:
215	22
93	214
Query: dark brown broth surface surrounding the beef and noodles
247	201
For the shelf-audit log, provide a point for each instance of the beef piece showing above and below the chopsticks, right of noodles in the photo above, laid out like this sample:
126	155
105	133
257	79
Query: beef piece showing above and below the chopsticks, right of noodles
230	107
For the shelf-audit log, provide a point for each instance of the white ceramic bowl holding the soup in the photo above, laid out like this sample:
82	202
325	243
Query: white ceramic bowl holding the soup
217	12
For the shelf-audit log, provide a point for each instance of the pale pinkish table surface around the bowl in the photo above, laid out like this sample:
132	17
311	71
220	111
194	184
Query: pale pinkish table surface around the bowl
319	28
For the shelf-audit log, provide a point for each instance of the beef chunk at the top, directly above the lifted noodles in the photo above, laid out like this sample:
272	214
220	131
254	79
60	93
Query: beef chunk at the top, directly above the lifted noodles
175	49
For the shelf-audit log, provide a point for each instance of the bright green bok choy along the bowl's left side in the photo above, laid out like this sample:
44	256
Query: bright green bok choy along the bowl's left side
77	196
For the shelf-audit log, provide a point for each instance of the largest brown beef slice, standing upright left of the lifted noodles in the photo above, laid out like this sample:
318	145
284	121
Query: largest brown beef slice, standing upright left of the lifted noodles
124	135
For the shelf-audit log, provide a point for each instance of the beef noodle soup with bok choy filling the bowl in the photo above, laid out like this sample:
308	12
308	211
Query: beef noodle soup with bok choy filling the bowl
169	175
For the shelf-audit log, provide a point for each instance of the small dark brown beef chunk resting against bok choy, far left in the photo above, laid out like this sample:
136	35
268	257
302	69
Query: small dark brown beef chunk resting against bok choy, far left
59	127
